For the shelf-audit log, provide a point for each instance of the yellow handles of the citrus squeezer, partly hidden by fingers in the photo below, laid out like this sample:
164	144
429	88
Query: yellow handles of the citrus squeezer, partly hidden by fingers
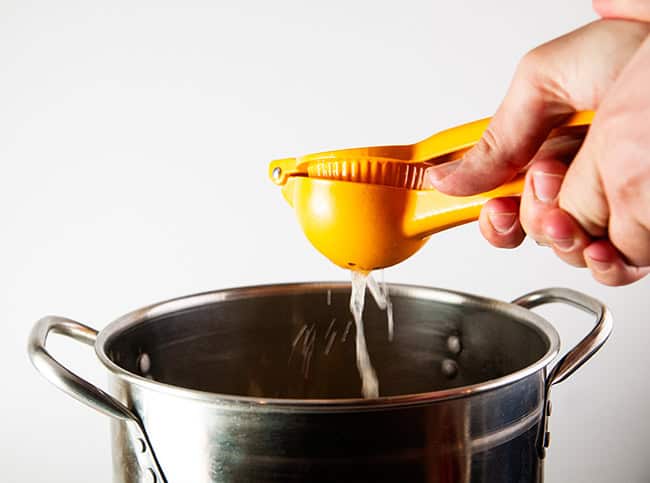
434	211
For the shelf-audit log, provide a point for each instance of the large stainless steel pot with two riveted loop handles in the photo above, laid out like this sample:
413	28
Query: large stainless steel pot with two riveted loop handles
260	384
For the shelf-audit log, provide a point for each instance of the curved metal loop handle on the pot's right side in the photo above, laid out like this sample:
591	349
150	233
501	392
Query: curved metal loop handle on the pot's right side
588	346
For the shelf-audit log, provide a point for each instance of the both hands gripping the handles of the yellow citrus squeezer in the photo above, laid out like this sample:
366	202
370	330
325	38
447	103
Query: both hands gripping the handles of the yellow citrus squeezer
594	212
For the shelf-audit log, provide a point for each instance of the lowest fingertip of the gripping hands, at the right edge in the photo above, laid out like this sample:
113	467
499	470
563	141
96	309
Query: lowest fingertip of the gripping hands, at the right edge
608	267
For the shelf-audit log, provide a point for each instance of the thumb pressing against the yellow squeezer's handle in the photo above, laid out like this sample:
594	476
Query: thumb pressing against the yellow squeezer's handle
528	113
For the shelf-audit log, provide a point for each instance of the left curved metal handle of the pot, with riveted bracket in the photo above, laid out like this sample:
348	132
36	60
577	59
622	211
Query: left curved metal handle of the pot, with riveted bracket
81	389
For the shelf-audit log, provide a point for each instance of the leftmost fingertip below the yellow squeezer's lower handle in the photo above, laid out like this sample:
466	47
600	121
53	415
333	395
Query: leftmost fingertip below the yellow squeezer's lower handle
499	223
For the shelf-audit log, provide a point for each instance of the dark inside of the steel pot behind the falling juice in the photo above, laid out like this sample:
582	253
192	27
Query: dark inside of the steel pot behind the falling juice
256	342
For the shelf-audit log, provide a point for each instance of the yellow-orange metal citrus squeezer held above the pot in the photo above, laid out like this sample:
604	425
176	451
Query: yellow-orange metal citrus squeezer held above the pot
365	208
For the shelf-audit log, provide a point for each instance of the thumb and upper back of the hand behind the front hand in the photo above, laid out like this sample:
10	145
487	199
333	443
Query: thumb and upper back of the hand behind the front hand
572	72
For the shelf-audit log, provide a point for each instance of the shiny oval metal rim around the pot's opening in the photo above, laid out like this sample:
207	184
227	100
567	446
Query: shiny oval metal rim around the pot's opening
133	318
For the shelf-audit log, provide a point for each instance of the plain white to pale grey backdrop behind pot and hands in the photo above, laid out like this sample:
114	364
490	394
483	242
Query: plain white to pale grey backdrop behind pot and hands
134	142
